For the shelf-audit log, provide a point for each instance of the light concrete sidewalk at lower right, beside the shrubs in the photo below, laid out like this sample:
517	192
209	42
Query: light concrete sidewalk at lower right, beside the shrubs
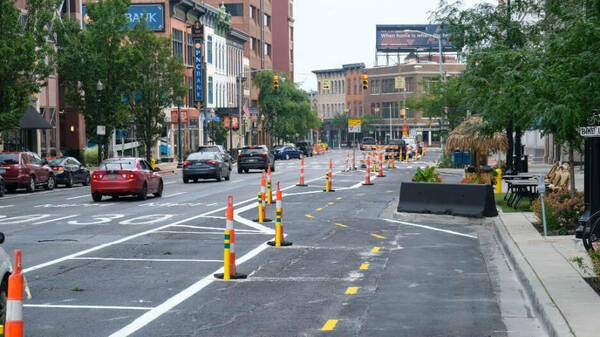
563	301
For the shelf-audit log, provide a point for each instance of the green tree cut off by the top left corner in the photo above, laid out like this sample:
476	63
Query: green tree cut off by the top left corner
27	56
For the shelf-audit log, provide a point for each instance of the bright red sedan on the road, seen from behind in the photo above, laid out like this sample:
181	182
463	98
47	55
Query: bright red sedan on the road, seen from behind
126	176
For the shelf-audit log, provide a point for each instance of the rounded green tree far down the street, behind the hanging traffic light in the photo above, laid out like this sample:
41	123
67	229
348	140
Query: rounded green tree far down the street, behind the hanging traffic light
285	112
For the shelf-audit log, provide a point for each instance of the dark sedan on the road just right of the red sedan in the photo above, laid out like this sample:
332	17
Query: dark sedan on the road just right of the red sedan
206	165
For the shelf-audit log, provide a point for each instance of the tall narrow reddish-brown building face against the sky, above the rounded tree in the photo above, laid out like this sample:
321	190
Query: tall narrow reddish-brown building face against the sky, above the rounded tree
283	37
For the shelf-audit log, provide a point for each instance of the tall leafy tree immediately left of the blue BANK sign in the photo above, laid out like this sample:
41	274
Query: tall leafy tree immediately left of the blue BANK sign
99	52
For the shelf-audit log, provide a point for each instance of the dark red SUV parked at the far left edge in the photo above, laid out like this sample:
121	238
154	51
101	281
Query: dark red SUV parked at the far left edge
25	169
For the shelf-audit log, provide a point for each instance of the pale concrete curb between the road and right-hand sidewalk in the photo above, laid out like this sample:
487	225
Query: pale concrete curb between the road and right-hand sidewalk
553	321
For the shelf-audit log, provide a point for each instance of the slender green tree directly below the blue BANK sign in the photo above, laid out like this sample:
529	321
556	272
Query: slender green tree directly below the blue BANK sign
157	79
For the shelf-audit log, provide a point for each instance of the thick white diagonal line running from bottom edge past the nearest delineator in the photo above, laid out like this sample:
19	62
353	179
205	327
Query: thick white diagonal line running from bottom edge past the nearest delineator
172	302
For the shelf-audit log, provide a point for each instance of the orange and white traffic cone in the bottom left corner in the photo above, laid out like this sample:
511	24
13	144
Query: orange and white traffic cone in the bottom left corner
14	303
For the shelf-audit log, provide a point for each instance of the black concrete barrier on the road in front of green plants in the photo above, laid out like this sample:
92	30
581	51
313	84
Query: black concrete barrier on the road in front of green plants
470	200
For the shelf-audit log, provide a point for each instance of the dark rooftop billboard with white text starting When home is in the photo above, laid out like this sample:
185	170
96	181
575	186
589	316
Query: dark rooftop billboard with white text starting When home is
394	38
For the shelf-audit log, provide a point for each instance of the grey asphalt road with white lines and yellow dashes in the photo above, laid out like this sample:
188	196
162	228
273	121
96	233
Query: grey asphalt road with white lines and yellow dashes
145	268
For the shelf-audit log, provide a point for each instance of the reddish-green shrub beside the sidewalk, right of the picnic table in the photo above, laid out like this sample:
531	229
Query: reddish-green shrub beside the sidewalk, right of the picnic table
562	211
